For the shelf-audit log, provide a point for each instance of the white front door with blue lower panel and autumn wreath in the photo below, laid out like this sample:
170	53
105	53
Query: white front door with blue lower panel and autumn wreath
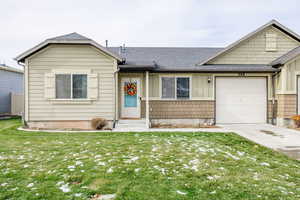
130	91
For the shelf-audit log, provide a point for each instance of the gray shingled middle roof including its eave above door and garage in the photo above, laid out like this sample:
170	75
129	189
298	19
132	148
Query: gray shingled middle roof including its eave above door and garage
176	59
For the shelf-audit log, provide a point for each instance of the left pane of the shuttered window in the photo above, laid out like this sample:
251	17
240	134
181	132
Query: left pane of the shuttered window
63	86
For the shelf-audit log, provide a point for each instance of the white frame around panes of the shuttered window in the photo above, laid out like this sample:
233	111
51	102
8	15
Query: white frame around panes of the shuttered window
71	73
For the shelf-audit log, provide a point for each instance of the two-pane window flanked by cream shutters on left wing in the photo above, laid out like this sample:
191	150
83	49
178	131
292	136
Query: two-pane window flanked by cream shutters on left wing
71	86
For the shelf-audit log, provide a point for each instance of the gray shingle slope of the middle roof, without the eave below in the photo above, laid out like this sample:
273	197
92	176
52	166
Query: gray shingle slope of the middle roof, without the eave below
175	57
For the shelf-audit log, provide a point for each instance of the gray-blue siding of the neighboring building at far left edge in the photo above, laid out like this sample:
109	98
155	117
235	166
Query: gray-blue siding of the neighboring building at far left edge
9	82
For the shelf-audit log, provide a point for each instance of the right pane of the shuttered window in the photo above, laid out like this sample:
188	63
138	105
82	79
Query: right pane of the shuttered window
79	86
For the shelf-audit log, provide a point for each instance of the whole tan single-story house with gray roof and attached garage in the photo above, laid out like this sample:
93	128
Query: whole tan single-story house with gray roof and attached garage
71	79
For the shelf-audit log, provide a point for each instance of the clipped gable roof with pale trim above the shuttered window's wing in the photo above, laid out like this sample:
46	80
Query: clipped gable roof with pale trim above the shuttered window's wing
72	38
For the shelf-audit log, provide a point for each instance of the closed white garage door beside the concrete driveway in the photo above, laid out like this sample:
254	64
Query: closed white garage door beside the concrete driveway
241	100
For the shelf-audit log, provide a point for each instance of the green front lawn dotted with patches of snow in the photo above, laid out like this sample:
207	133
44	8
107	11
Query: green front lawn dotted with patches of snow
35	165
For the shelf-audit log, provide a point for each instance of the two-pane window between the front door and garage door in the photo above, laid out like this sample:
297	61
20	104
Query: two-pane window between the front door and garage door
175	87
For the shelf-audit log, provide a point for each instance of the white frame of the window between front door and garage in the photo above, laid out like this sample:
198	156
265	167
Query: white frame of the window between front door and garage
175	76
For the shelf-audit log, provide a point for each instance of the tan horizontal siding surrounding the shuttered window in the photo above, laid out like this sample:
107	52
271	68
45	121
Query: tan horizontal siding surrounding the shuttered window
71	57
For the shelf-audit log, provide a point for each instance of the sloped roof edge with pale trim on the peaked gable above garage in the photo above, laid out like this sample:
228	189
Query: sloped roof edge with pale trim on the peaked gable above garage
272	23
